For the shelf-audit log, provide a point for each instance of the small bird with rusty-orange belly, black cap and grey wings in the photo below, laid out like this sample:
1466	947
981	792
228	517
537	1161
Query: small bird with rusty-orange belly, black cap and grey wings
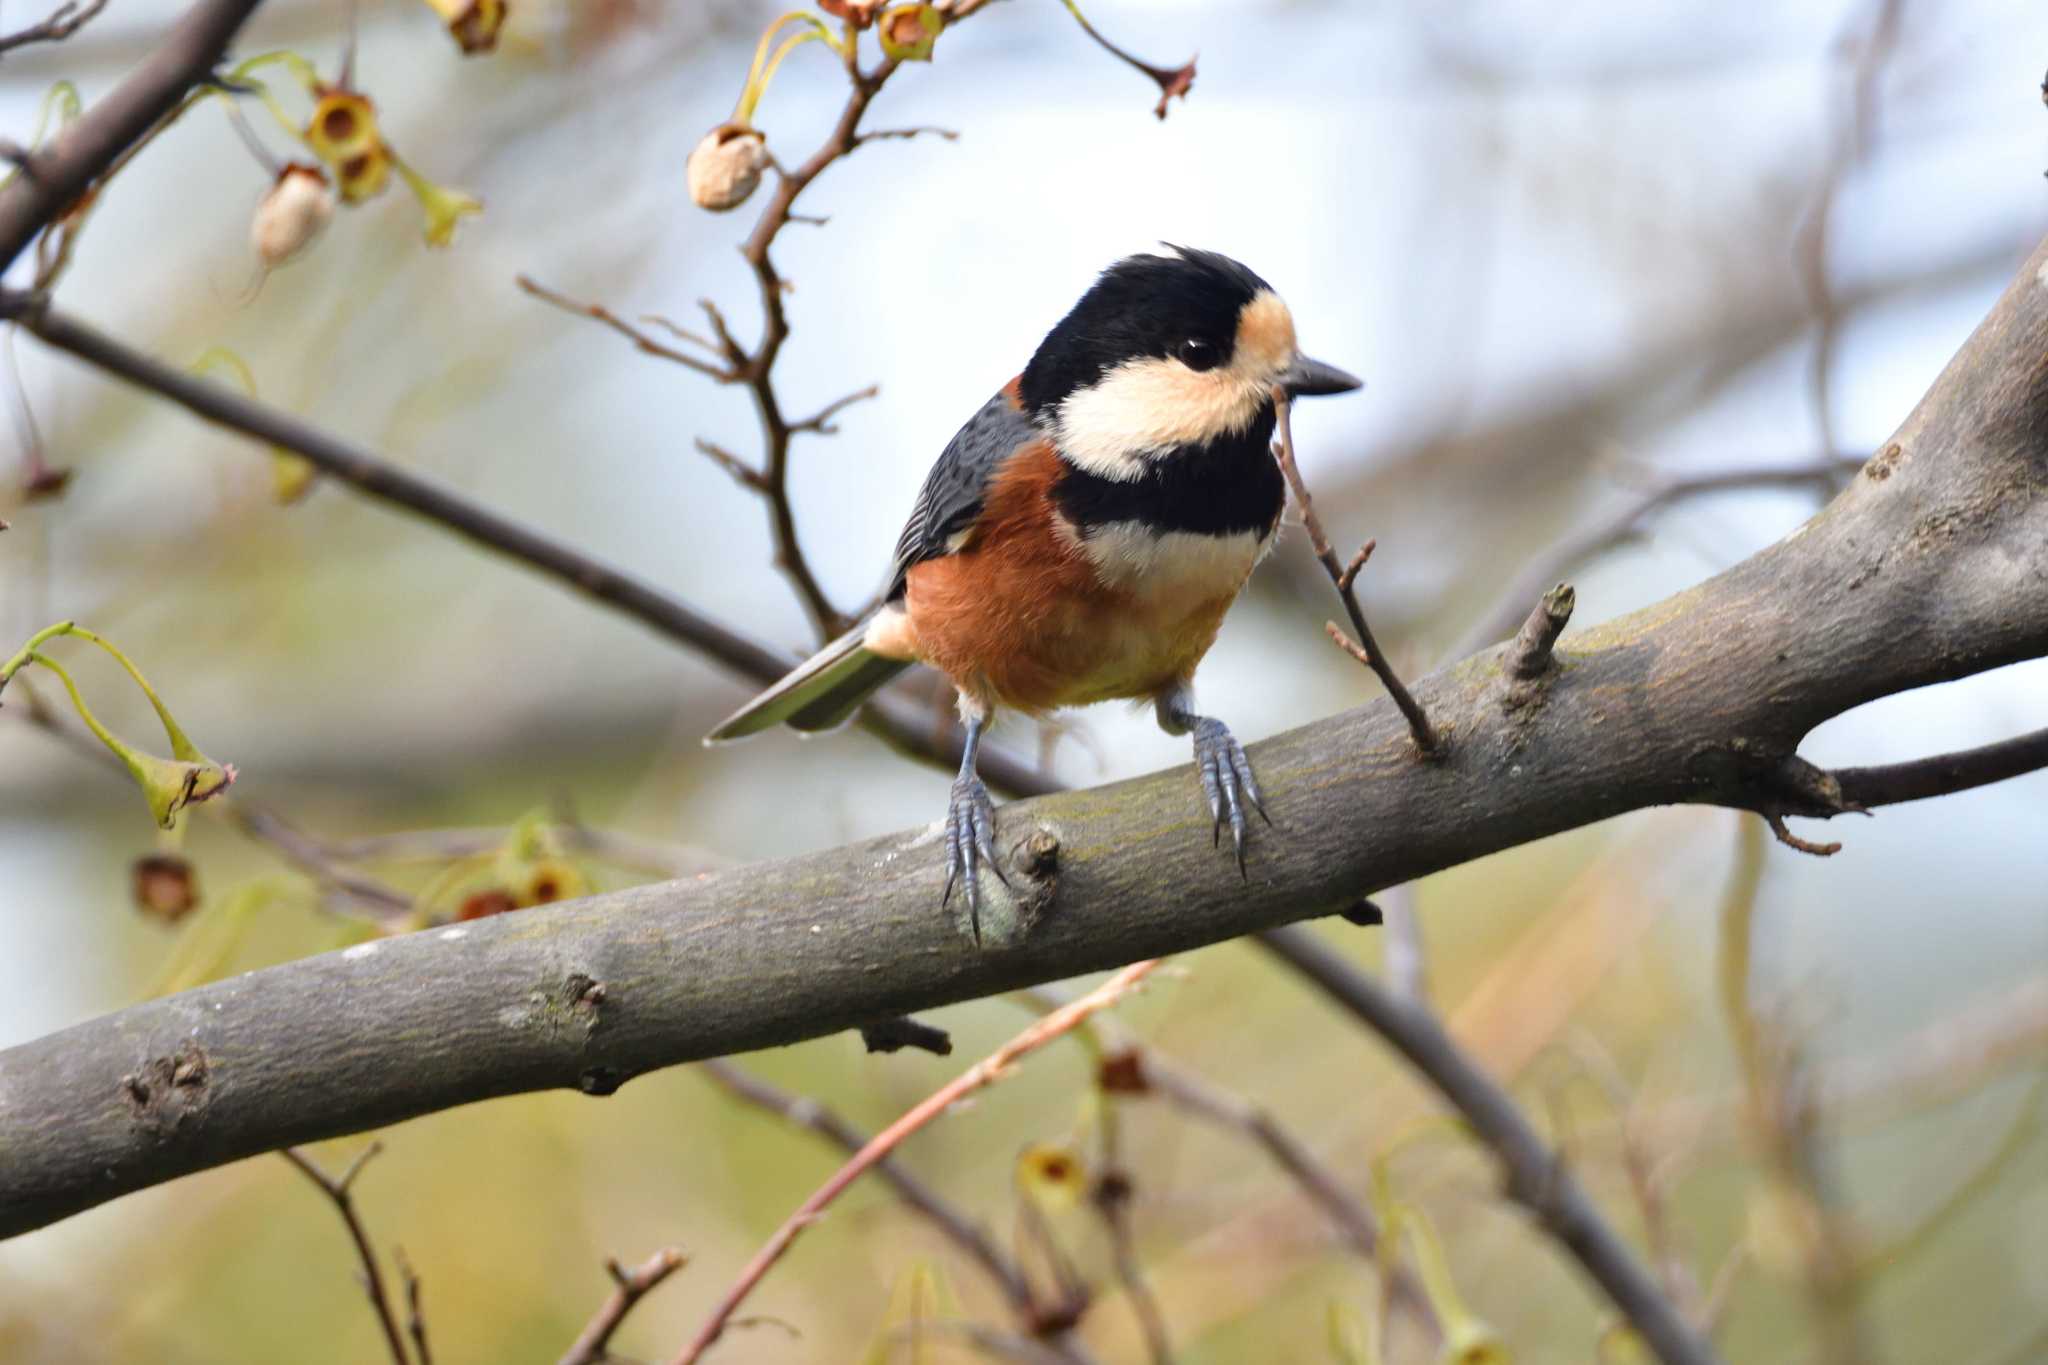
1084	535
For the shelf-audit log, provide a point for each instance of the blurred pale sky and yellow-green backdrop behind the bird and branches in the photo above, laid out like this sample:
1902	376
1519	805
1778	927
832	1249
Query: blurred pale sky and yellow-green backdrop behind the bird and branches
1588	257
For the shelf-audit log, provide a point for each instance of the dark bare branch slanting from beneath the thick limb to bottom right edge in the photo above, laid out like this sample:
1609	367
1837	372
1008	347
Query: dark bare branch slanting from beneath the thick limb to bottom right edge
1537	1180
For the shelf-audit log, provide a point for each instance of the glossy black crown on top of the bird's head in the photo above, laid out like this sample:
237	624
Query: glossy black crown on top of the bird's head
1183	306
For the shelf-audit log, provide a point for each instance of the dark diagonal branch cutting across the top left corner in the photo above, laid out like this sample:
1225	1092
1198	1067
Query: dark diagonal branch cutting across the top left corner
52	181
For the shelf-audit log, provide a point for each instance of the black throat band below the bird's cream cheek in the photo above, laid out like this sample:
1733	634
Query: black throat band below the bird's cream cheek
1218	488
